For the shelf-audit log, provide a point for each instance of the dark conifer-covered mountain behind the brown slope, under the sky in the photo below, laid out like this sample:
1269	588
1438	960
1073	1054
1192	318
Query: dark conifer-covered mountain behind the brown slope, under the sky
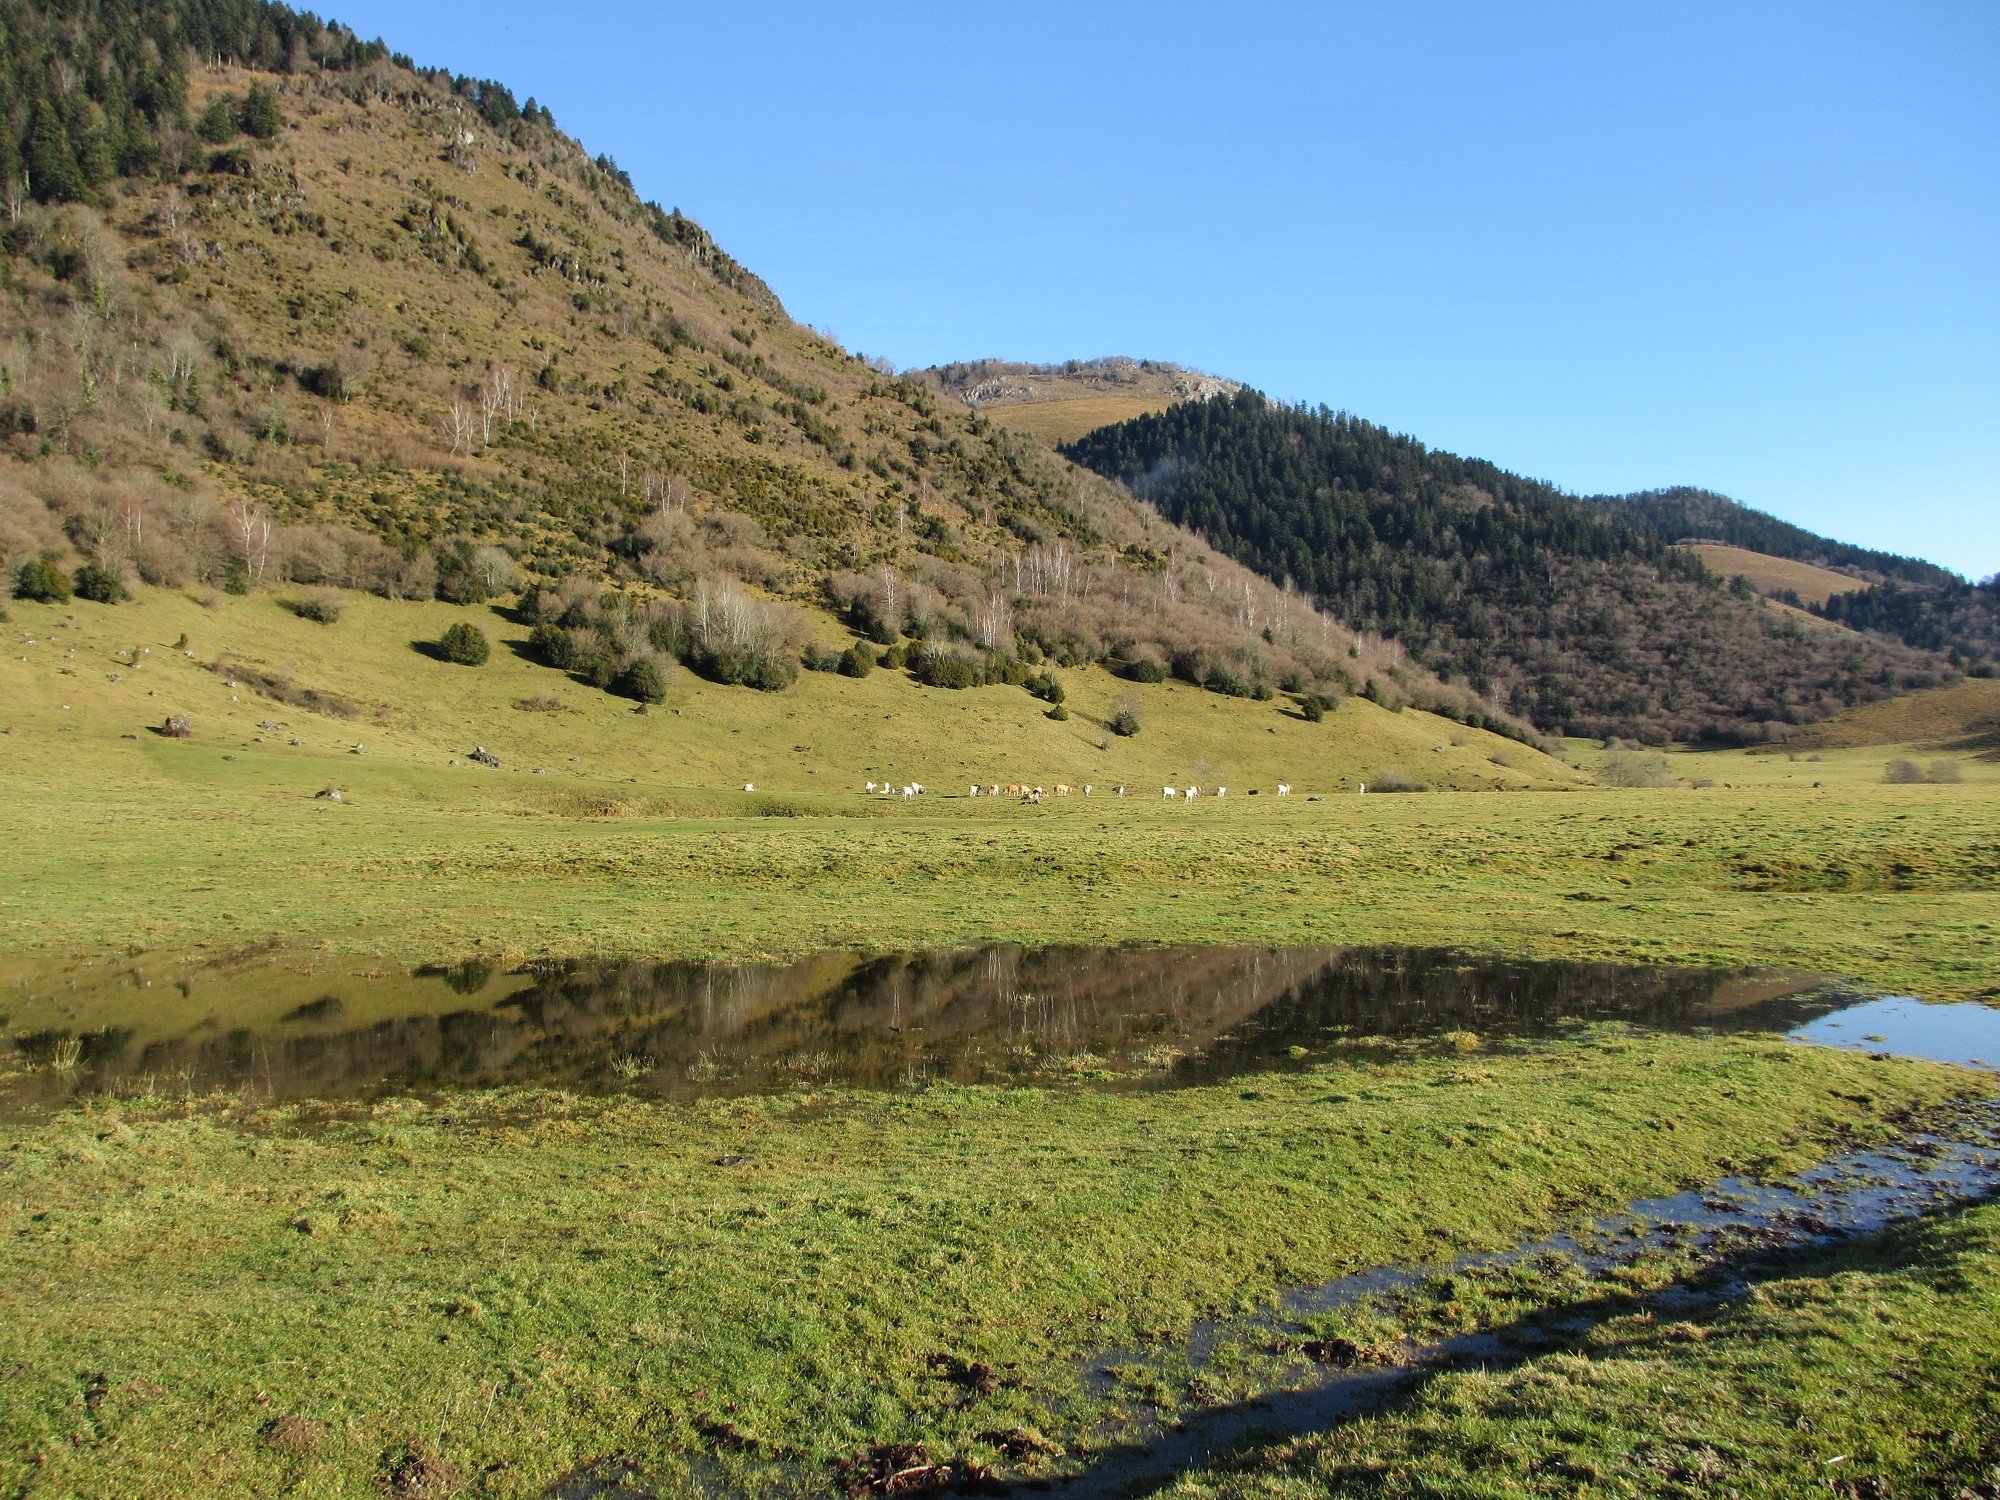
1573	613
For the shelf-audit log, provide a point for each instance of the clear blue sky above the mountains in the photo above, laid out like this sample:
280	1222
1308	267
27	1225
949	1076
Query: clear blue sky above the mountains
1751	247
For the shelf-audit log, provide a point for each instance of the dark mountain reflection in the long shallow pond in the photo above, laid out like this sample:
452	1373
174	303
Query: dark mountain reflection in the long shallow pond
995	1015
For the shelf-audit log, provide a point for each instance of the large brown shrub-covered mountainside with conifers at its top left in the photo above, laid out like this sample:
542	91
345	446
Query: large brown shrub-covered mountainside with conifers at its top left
291	311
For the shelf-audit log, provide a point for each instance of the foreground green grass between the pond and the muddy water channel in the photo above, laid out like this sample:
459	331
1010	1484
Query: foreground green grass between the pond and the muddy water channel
517	1285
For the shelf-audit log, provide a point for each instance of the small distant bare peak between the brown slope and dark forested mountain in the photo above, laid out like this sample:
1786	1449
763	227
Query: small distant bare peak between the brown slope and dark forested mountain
1061	403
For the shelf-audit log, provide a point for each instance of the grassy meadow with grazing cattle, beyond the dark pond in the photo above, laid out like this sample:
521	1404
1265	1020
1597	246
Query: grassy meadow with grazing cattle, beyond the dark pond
629	833
